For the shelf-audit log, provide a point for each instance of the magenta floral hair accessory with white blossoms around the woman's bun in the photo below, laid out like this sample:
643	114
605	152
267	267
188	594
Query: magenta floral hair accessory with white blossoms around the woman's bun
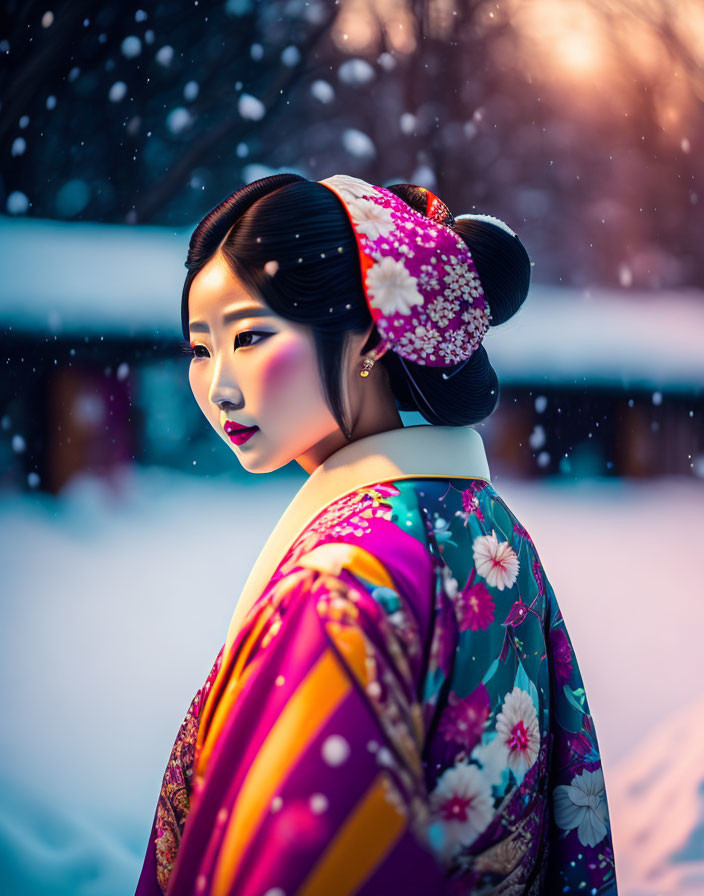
420	281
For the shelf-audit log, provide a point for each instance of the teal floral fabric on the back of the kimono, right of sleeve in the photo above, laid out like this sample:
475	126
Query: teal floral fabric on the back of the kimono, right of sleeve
512	763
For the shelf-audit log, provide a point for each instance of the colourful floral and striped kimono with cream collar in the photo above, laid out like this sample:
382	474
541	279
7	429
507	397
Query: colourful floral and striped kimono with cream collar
397	708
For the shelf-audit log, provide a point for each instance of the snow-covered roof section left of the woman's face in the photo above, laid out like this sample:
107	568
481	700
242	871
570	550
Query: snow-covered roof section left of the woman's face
73	277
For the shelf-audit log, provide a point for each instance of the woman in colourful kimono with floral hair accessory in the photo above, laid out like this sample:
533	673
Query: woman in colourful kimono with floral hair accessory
397	707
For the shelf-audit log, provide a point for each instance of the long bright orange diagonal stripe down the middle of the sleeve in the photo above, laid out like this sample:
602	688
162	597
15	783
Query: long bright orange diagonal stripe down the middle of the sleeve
315	699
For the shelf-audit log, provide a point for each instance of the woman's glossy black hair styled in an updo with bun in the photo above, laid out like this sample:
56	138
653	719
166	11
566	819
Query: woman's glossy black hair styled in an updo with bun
303	227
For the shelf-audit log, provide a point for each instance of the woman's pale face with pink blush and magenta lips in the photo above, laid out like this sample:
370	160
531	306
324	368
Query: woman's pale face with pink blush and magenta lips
254	368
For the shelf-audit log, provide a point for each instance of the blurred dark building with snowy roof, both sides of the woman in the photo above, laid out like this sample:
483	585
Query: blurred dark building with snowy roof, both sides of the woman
592	382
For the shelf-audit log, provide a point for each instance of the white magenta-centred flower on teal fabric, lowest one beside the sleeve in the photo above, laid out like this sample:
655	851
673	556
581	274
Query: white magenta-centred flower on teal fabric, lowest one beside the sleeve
462	805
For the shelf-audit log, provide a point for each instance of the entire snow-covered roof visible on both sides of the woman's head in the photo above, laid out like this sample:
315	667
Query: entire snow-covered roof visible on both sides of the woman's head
114	280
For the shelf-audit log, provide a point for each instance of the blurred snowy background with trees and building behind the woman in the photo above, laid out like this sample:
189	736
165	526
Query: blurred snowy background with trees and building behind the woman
127	527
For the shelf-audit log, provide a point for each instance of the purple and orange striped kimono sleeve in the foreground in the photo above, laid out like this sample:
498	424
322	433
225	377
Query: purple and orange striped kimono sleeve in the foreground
307	776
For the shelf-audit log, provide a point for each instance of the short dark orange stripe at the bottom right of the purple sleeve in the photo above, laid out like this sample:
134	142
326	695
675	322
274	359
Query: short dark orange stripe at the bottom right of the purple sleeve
368	835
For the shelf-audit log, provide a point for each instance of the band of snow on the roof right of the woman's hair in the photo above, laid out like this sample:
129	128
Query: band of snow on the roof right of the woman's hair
642	340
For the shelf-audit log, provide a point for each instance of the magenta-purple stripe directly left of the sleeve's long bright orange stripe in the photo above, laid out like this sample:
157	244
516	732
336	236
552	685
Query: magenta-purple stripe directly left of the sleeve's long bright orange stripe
292	653
